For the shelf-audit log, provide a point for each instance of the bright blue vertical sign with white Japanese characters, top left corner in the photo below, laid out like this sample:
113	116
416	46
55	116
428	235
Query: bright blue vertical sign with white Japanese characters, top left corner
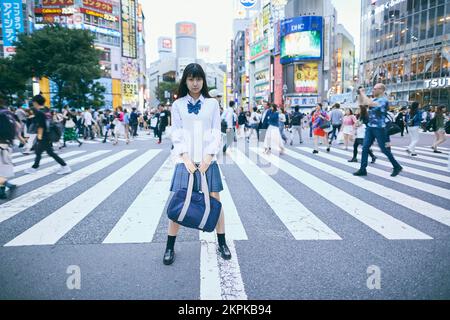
12	18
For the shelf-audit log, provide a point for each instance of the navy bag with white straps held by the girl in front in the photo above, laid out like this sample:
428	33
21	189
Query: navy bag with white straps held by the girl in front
196	210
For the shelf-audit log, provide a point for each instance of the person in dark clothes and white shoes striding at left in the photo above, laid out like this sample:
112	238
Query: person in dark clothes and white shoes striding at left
46	132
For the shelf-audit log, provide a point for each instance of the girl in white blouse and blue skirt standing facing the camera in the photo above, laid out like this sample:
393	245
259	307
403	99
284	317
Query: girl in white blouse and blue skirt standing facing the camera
196	138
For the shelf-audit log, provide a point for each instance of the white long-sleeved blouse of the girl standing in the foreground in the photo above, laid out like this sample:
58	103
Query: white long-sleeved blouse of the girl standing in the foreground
196	134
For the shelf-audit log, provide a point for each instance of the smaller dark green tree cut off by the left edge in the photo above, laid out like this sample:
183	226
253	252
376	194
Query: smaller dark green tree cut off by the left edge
12	83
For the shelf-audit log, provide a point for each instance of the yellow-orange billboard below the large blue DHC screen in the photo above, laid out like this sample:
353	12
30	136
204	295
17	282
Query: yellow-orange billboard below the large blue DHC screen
306	78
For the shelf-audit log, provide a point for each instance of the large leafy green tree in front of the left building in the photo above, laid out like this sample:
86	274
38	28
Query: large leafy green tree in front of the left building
65	56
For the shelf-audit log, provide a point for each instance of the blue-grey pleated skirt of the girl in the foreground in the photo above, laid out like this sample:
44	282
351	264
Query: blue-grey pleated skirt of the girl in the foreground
180	178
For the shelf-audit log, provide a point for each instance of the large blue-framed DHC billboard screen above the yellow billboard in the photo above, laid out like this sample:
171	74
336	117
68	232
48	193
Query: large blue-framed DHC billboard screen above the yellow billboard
301	39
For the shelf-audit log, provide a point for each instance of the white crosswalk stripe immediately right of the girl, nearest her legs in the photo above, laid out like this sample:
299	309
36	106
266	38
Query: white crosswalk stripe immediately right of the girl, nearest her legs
300	221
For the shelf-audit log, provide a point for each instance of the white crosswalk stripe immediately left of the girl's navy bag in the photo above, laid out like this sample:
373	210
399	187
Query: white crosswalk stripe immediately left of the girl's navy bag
139	223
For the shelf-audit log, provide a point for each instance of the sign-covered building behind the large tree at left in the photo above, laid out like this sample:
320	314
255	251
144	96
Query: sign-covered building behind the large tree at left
118	27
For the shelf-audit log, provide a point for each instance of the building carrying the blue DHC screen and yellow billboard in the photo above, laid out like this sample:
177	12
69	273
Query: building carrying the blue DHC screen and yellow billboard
307	41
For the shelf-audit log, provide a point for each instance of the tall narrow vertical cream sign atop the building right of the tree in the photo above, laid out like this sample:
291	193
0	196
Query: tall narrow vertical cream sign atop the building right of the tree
129	27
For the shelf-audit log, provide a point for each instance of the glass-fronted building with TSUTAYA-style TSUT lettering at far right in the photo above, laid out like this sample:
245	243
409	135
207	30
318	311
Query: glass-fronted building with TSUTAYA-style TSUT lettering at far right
405	44
